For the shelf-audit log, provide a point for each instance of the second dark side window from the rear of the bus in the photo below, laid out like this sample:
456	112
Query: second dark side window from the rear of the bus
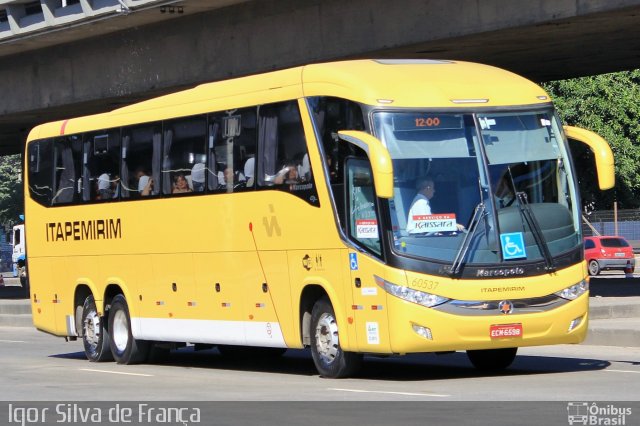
68	153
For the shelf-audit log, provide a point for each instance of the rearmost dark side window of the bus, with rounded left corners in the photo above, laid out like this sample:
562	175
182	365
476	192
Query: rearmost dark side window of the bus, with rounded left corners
41	171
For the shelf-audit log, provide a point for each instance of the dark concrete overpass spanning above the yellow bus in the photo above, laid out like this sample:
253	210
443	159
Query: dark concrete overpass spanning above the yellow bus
61	58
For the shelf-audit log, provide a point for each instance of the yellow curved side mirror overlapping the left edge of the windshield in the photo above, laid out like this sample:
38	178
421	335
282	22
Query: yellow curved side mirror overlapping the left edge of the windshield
381	165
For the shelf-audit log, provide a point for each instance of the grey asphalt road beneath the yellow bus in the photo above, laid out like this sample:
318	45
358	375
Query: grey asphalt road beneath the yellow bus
37	366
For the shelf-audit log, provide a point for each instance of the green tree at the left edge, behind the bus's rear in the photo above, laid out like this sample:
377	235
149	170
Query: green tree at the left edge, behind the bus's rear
11	195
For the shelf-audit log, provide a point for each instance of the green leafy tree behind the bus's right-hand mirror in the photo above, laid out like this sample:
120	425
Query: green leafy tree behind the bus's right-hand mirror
608	104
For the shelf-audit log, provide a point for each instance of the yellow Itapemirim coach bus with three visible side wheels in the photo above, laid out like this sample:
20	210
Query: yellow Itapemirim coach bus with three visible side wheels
362	207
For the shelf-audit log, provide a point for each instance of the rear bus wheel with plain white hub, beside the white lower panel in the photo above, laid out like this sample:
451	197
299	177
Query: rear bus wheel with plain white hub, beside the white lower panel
125	349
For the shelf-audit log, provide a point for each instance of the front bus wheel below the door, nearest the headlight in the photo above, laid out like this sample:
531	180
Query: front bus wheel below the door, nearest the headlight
328	357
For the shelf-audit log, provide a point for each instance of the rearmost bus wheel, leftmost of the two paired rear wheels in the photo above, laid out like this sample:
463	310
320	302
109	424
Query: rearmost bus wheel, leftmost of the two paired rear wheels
94	333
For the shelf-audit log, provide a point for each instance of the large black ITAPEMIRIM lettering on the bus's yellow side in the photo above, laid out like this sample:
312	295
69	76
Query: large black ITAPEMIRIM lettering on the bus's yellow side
83	230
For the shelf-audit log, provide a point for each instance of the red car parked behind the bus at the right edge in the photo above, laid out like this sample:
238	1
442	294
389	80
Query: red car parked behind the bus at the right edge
604	252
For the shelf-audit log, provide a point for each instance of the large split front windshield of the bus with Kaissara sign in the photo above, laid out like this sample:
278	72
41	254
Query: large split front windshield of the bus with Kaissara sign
510	169
